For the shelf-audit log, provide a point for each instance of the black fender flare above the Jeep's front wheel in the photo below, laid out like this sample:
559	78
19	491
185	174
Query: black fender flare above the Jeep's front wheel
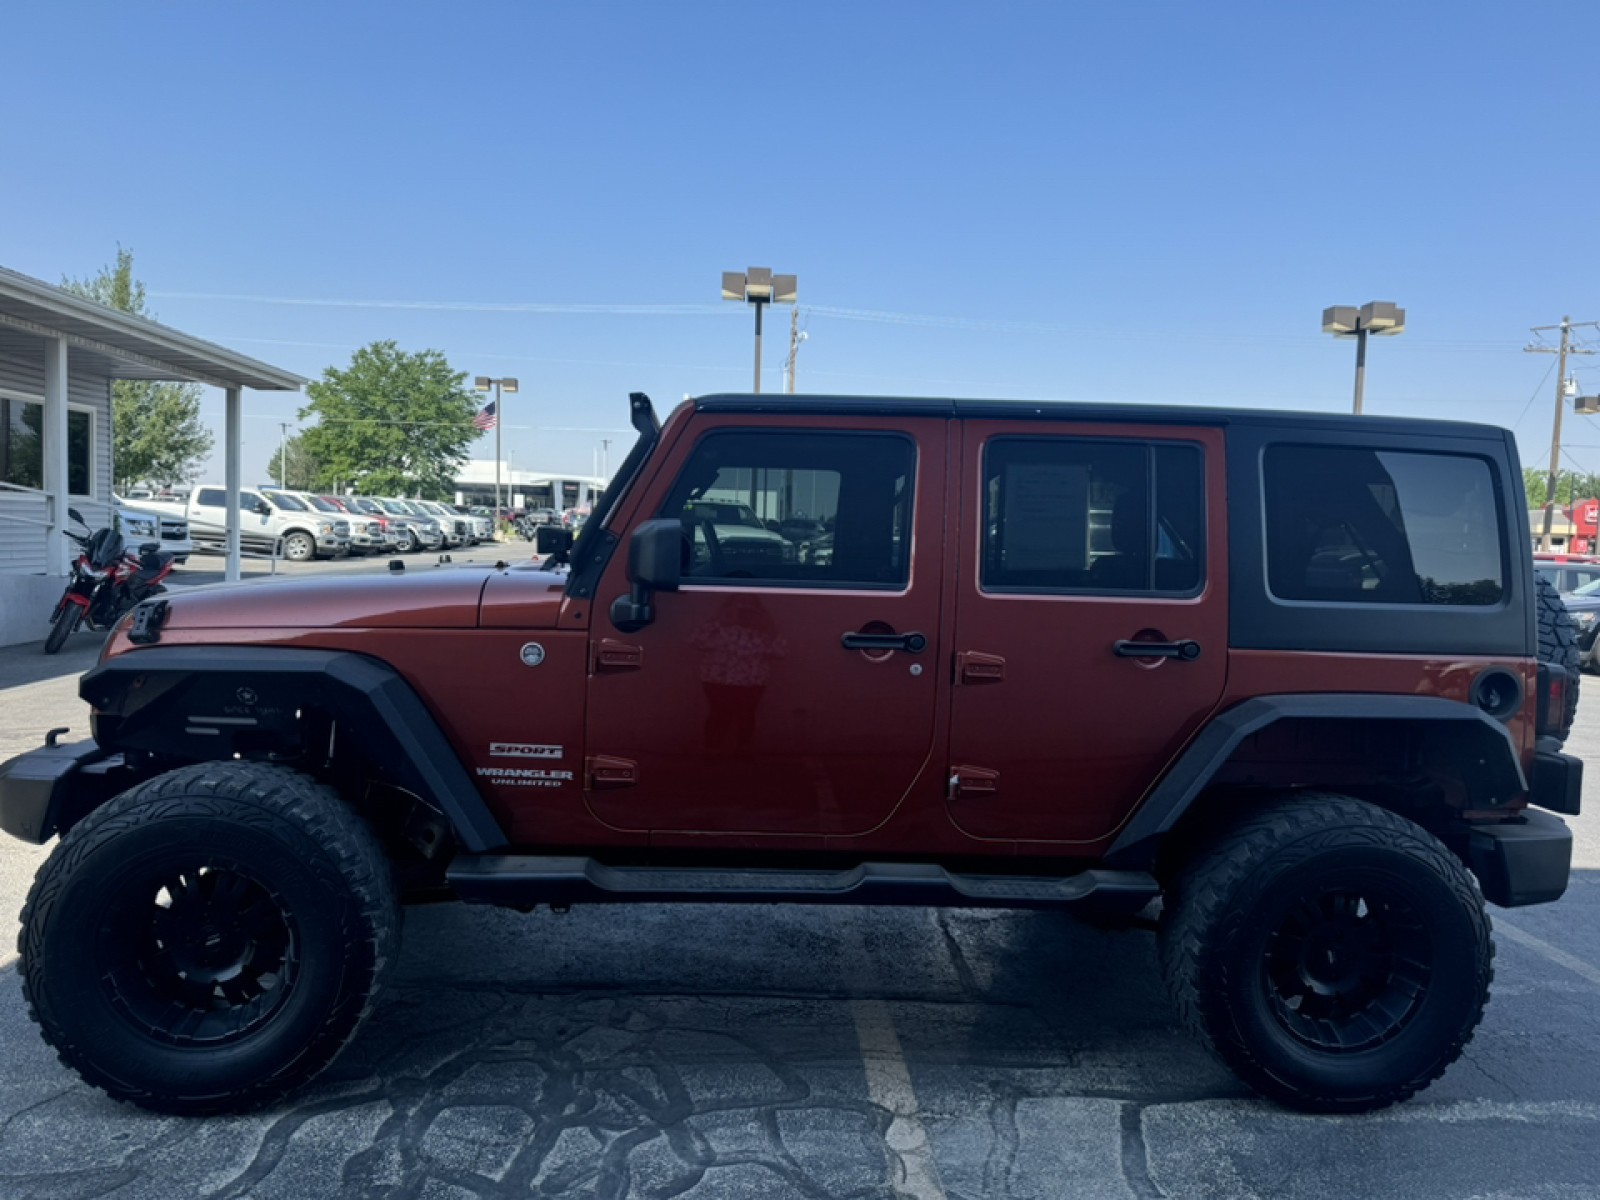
222	694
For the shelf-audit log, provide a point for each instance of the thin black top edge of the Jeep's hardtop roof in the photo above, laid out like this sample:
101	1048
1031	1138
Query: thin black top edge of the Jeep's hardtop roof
1073	410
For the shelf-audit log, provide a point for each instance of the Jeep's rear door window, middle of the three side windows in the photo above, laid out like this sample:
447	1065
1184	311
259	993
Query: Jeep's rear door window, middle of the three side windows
1092	516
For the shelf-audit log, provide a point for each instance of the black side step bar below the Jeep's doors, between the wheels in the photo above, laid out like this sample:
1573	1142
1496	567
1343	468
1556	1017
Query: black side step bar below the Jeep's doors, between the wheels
522	881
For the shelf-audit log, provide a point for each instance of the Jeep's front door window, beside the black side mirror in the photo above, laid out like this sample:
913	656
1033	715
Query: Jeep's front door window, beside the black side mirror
793	508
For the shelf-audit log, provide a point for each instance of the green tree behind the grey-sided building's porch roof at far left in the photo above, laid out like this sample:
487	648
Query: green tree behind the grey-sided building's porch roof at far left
158	434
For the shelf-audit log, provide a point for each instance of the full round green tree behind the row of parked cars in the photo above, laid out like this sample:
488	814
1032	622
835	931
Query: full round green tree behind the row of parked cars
391	423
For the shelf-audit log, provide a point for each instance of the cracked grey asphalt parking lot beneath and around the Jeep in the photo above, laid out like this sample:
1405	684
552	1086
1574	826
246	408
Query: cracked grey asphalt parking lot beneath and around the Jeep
735	1052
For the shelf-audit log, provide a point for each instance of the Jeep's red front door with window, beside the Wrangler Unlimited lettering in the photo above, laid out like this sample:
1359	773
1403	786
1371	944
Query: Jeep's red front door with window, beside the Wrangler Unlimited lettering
790	687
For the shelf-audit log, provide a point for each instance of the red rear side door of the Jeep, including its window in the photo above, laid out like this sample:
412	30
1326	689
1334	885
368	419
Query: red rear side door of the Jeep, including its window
1090	623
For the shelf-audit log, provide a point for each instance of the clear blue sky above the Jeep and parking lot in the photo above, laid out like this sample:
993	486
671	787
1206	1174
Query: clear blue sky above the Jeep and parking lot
1081	202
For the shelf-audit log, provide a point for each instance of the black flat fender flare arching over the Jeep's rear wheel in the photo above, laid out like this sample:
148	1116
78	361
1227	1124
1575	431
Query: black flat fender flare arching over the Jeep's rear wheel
1495	761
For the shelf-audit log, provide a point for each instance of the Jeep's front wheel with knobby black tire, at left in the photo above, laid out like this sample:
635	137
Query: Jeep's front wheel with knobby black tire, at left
209	940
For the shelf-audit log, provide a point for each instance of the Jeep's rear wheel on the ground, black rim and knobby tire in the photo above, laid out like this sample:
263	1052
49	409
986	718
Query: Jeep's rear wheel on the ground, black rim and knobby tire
1335	956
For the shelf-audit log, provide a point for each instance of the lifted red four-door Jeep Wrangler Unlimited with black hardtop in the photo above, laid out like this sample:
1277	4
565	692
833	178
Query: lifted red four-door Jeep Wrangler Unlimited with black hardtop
1281	673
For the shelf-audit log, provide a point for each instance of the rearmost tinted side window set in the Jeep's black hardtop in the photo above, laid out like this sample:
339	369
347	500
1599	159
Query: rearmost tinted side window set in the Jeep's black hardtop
1354	526
